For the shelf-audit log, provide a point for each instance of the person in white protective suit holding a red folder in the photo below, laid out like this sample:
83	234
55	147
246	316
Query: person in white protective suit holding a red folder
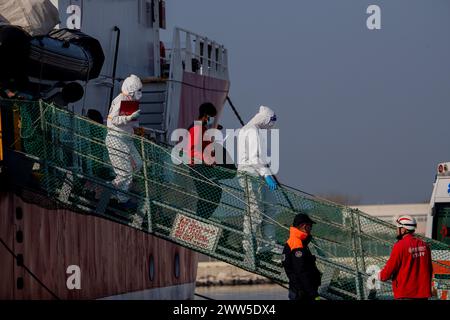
123	155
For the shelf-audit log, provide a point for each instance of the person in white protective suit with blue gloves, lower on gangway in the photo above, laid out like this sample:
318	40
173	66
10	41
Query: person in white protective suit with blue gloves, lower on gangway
252	163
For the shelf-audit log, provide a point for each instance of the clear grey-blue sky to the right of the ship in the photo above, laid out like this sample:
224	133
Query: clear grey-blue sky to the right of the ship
361	113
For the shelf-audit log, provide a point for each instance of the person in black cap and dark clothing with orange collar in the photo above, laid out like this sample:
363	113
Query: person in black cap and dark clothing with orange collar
299	263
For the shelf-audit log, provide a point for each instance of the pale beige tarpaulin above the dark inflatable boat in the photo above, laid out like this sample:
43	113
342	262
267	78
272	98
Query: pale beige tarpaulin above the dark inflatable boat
37	17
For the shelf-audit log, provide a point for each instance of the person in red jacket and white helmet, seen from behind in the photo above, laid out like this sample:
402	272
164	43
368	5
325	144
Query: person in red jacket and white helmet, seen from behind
409	265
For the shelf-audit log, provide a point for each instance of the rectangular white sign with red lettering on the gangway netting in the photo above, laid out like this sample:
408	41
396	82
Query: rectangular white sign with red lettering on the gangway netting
195	233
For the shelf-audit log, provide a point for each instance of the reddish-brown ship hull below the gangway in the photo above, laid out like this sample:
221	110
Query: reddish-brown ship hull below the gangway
48	253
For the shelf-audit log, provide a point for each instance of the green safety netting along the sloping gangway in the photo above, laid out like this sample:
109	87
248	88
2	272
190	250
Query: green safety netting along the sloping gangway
213	210
